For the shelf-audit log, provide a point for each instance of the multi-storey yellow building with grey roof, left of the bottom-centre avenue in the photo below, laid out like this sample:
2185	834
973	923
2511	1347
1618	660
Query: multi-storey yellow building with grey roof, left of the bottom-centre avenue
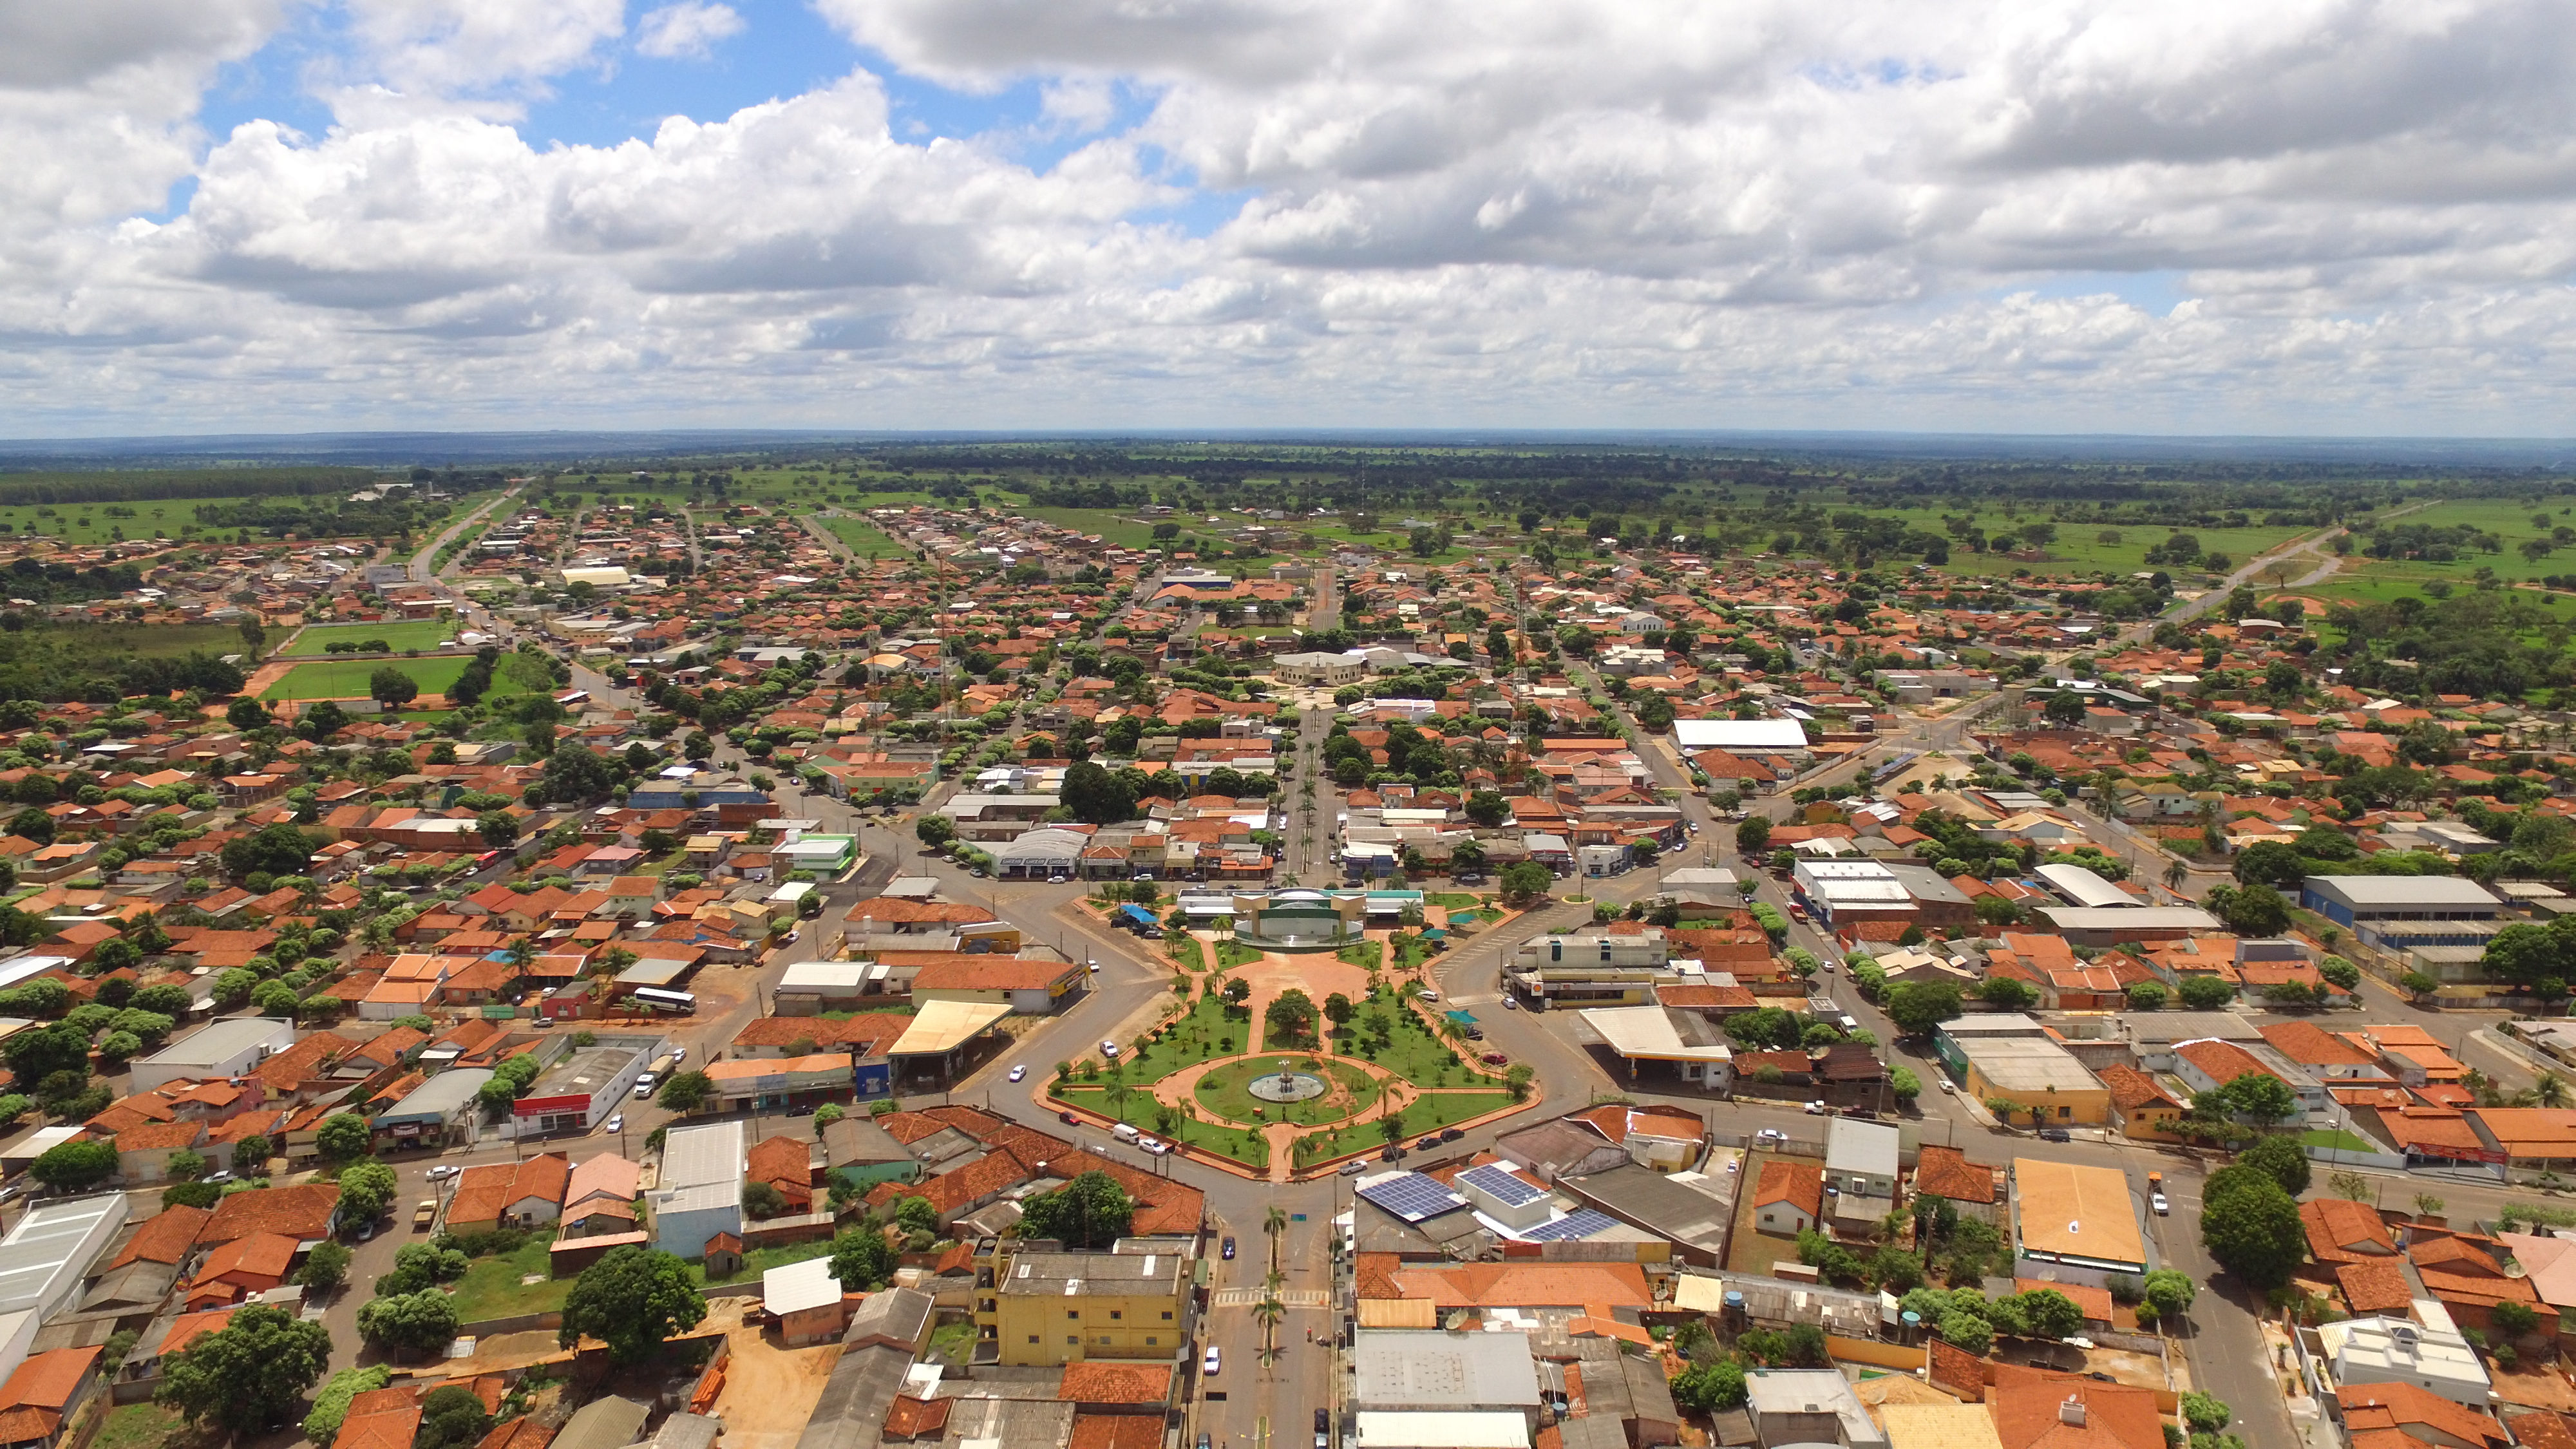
1045	1308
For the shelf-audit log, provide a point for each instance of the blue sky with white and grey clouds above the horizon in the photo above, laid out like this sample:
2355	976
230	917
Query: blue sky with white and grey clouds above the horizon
1972	215
